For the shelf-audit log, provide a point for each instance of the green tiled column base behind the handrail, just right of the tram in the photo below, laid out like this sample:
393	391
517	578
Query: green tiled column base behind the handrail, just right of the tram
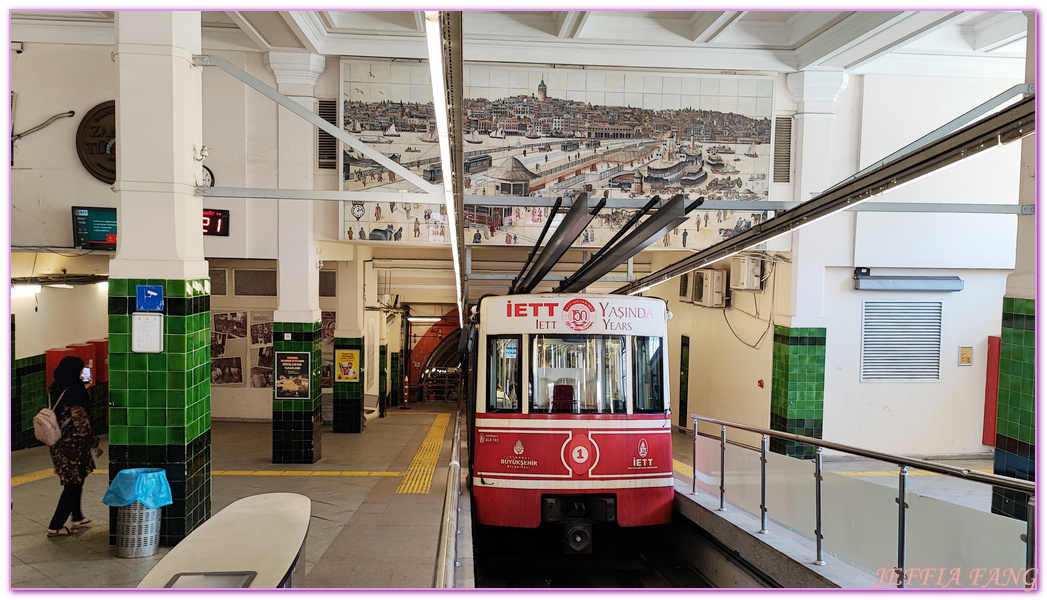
797	388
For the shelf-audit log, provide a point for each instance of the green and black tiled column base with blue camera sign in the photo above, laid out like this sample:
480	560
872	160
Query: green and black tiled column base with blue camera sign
160	412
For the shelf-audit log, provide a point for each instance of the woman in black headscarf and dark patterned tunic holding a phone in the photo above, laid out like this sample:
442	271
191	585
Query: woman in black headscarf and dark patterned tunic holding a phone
72	455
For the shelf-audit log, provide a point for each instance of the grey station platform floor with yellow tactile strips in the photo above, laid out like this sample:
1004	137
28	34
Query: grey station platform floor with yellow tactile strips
376	497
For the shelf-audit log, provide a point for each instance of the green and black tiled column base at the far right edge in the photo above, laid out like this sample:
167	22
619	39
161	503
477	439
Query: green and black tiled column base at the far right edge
1016	450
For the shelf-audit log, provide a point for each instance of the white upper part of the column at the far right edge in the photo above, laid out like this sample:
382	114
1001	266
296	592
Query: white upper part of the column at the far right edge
1022	282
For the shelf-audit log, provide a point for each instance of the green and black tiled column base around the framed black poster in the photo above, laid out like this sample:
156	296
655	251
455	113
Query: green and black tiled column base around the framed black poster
297	423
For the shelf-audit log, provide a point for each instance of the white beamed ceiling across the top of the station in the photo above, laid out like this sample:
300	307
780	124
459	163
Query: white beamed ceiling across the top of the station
966	42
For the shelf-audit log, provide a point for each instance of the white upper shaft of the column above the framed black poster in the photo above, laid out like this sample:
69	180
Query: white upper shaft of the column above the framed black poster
299	263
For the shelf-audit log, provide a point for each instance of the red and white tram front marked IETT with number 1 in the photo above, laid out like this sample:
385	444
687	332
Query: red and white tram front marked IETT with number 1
572	411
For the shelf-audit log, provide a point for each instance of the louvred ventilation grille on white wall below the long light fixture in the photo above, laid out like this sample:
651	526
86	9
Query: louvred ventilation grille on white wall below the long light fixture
901	342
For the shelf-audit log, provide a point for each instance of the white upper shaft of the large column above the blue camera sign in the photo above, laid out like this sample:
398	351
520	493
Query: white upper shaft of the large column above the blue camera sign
159	135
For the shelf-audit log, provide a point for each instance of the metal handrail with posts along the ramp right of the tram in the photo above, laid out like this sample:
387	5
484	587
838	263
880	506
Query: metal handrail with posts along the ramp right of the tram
904	464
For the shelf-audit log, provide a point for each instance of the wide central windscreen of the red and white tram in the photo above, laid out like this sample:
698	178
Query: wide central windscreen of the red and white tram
575	374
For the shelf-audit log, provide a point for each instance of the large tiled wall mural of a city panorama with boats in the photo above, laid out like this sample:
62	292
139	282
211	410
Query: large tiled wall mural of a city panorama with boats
549	132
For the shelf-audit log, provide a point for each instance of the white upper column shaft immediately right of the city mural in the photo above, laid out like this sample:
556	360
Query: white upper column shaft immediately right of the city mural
816	95
